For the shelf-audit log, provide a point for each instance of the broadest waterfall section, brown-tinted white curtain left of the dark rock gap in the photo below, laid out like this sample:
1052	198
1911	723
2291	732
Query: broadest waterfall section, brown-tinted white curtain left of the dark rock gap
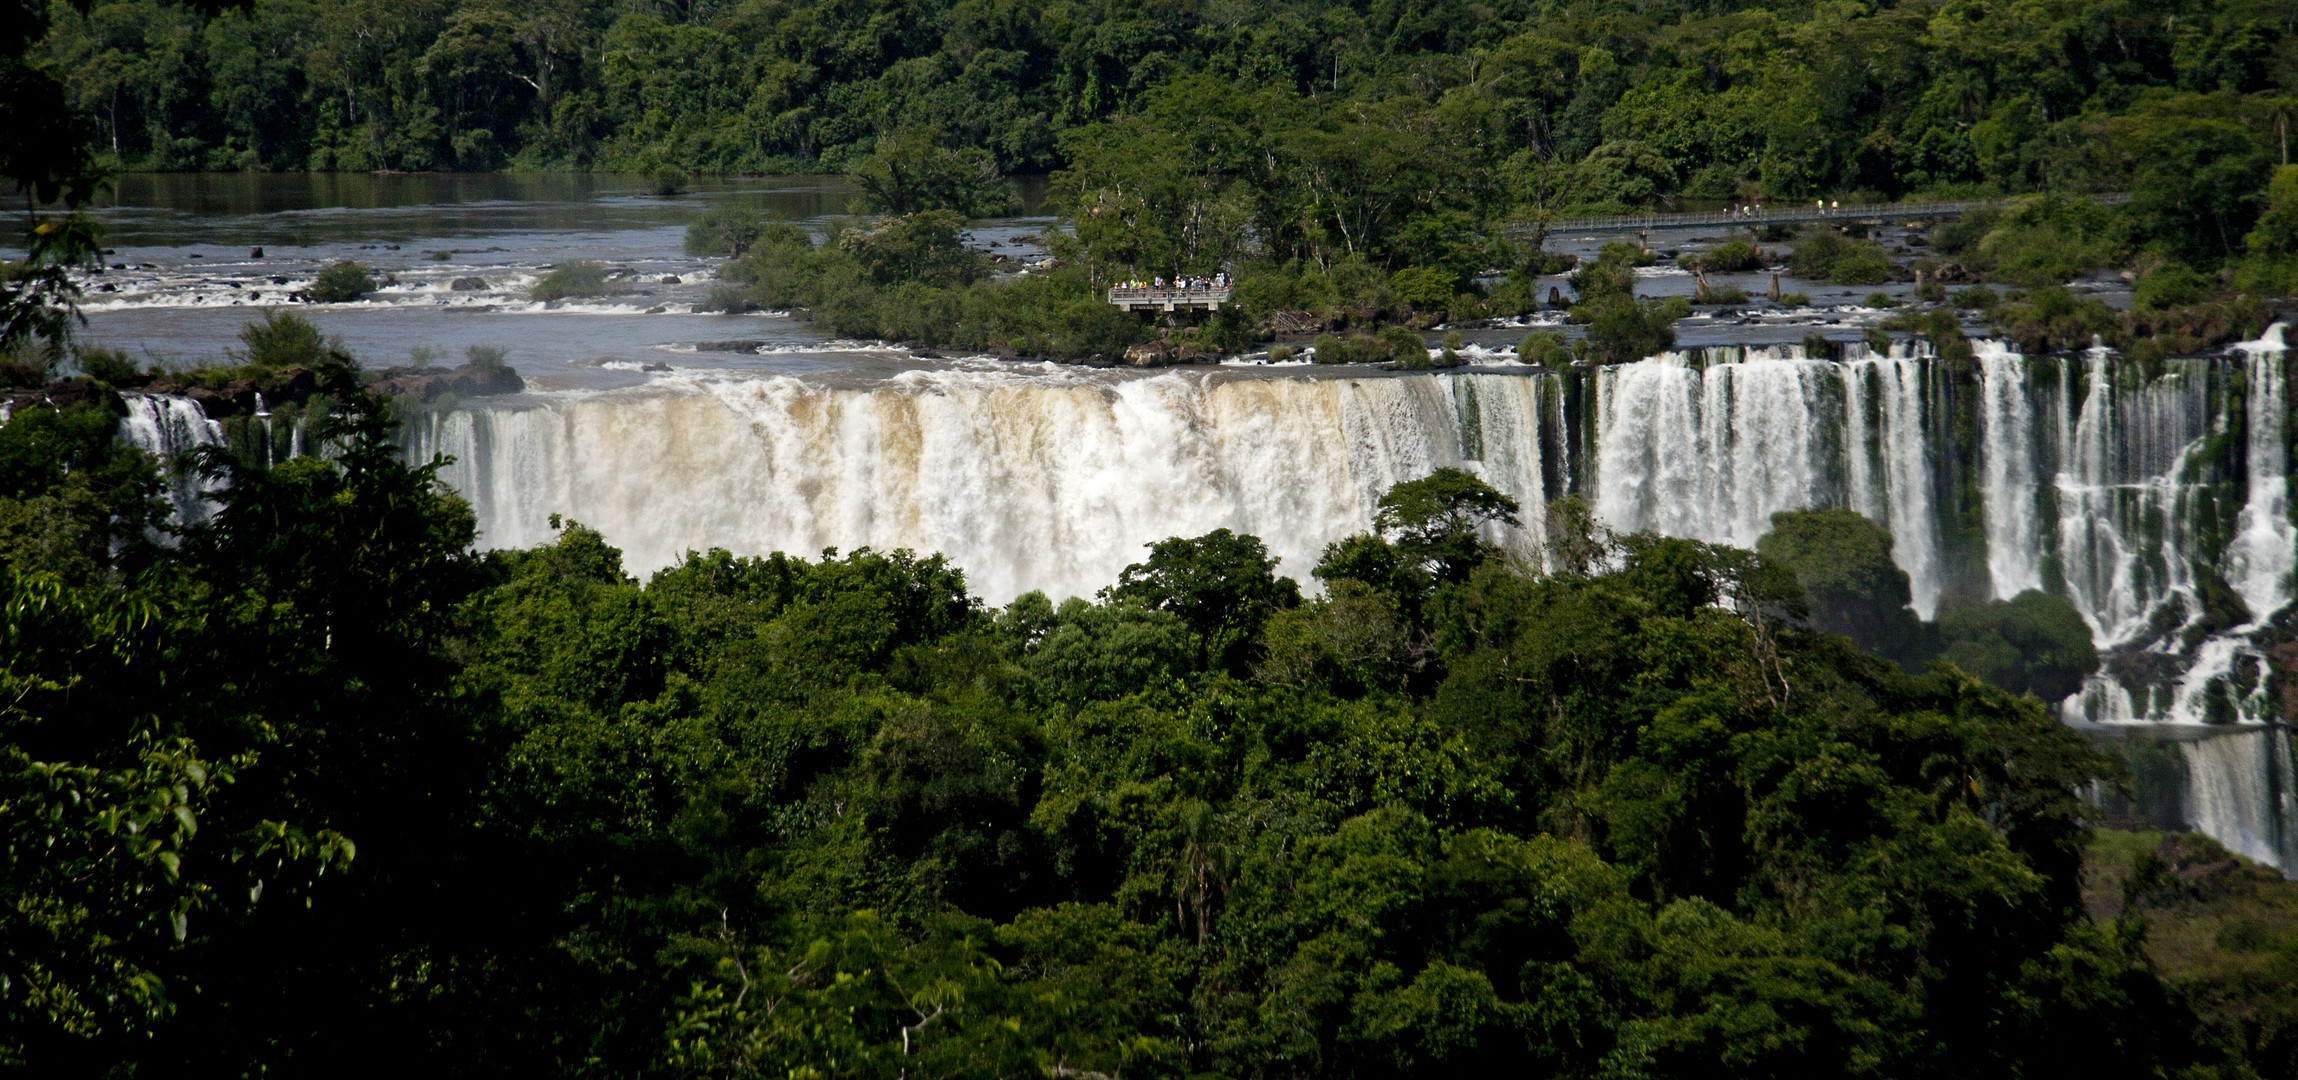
1024	481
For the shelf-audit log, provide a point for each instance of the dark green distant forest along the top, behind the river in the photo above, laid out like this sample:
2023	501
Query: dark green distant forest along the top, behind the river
1633	102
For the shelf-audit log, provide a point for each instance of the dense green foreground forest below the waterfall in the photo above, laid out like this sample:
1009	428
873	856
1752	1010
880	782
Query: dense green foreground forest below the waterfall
316	789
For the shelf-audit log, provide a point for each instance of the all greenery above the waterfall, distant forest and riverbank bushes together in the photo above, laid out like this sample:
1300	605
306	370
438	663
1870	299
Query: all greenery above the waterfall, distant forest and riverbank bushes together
1352	167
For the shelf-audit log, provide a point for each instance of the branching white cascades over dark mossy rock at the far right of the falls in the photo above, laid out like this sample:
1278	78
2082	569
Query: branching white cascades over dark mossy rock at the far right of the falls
2136	486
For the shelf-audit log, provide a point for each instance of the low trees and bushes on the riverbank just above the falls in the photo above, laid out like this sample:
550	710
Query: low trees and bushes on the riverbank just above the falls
913	279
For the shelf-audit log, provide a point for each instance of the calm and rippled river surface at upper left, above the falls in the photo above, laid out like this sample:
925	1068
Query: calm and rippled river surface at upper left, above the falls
185	272
